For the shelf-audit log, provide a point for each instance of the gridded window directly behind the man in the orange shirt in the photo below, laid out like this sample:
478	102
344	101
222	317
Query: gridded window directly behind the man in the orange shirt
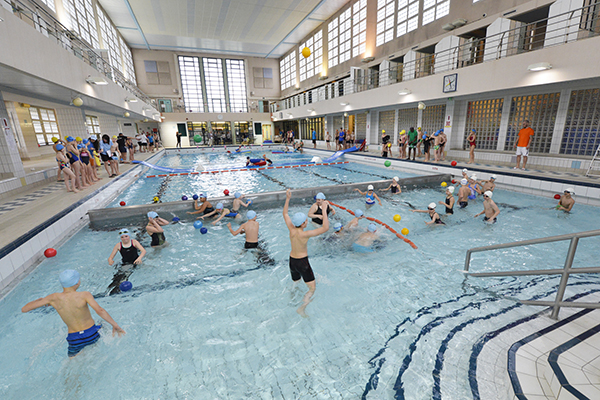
541	111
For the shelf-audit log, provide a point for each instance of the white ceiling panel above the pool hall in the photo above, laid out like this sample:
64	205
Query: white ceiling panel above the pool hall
257	28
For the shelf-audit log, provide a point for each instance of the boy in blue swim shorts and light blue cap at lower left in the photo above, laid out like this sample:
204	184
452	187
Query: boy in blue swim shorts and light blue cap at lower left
72	306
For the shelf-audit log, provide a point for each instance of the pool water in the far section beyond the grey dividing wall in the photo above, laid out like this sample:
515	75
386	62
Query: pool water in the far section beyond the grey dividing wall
172	188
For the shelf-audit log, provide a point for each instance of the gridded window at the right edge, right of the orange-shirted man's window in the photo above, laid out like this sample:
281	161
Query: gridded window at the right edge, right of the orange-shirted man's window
583	123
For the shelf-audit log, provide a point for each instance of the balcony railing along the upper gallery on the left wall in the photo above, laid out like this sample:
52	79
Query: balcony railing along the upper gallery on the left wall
45	23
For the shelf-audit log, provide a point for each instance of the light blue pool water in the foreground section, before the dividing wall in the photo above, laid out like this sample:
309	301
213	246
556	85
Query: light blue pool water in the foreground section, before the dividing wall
206	319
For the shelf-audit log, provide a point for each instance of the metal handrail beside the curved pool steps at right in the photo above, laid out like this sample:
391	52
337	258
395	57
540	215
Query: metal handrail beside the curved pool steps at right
565	271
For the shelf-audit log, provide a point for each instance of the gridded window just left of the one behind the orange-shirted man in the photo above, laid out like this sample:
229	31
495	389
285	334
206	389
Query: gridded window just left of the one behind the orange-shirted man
484	116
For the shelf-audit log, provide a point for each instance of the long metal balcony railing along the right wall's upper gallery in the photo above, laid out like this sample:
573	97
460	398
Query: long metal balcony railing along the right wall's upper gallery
564	28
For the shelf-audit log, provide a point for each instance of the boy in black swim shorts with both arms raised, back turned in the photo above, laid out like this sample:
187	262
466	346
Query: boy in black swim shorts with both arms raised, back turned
299	265
